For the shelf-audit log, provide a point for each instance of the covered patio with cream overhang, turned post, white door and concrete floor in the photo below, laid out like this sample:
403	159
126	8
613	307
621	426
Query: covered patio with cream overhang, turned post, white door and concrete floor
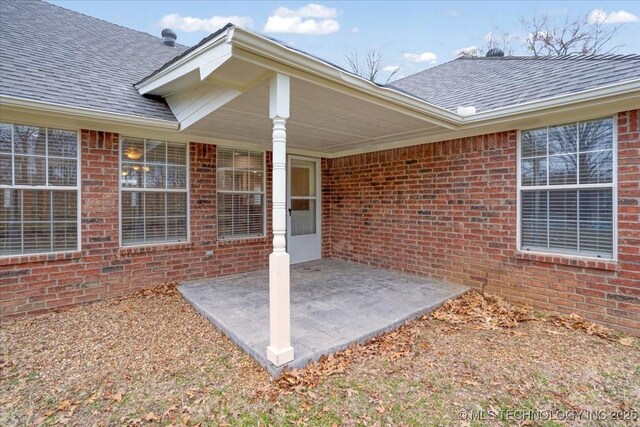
239	89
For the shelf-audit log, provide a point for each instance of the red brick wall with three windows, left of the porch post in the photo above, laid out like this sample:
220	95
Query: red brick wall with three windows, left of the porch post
37	284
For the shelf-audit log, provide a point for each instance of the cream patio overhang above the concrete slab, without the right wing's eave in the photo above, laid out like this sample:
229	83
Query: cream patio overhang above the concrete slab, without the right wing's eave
221	90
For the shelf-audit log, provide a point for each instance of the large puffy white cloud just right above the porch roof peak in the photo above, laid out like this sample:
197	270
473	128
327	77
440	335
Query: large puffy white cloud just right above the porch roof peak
312	19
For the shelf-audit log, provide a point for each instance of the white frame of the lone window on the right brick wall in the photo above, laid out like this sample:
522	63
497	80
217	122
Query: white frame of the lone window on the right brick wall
613	185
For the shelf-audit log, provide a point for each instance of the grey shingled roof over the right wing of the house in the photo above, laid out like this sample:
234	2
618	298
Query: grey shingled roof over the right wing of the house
494	82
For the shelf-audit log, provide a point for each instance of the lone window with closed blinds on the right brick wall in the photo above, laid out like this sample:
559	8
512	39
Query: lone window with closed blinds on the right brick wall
567	189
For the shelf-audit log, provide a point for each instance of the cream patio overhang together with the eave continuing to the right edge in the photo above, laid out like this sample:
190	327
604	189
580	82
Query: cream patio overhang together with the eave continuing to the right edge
219	90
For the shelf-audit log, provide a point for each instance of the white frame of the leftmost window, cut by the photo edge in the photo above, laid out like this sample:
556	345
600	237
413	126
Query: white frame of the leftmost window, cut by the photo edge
46	187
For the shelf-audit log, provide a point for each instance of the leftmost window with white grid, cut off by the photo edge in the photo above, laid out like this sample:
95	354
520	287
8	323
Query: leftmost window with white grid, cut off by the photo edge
38	190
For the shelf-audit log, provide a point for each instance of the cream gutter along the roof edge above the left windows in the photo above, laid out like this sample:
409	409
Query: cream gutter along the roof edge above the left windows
86	113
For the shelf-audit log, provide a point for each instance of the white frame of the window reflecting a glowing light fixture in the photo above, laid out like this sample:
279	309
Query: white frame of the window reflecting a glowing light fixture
122	189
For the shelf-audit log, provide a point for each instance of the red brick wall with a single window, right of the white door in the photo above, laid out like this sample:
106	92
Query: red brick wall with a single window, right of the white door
447	210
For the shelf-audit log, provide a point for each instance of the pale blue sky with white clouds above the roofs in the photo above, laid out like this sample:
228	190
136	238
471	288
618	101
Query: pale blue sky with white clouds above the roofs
414	35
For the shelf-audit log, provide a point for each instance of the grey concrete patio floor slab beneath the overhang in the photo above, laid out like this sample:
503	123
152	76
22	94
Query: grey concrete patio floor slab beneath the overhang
333	304
